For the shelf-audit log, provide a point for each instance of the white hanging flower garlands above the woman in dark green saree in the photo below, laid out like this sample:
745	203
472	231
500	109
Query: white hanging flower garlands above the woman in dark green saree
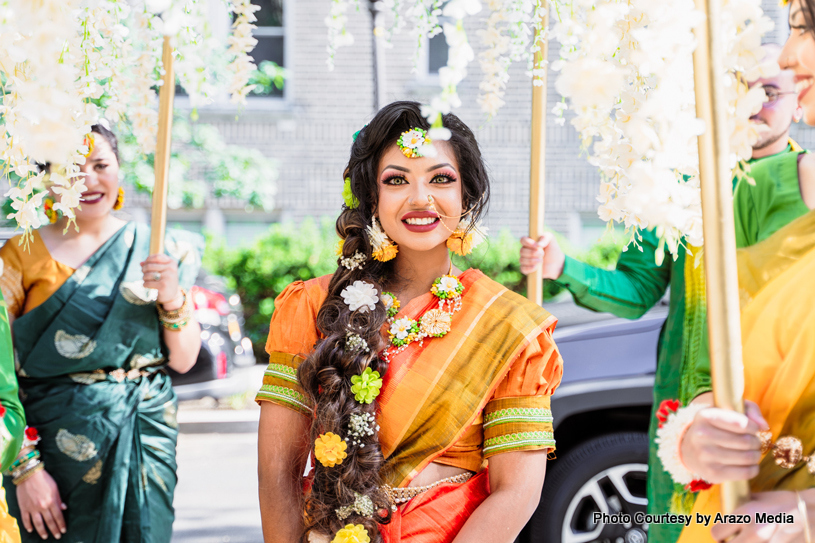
65	65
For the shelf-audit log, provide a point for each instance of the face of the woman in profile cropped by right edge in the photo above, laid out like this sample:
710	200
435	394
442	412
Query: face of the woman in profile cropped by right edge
798	55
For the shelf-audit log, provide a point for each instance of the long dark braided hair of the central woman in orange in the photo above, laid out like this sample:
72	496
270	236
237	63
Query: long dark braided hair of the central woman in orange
325	375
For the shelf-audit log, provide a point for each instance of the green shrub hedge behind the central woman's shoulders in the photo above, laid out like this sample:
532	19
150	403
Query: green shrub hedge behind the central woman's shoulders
287	252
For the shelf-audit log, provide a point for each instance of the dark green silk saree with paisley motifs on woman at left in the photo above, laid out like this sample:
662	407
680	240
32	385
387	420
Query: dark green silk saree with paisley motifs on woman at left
90	365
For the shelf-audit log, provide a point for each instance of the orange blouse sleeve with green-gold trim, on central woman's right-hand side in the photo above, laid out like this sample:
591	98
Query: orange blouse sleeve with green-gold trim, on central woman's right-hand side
518	416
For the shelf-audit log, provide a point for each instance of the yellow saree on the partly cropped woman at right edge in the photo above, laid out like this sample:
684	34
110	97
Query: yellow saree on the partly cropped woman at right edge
777	286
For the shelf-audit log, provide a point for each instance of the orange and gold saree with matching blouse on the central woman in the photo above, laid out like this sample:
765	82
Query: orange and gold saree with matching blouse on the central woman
481	390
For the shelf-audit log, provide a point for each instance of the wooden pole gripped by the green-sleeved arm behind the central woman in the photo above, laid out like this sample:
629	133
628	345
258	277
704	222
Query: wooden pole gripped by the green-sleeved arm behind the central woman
537	173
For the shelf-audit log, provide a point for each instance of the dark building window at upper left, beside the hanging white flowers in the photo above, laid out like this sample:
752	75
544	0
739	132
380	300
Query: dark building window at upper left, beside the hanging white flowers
270	52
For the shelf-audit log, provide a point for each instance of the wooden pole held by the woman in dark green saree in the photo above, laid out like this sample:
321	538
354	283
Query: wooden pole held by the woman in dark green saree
158	220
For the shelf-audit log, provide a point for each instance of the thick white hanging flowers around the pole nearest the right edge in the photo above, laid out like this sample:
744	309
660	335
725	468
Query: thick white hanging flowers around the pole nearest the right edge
626	72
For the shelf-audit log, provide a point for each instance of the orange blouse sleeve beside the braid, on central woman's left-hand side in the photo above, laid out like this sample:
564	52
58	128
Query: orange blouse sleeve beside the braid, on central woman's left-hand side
292	335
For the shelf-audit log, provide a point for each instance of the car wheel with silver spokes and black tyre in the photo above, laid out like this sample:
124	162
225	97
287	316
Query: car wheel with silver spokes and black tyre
606	474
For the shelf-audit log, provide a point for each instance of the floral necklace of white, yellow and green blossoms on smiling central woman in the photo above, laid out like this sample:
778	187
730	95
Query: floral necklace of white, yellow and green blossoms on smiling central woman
434	323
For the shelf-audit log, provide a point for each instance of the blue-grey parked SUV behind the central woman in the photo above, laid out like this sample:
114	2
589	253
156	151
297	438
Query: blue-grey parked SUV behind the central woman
601	413
